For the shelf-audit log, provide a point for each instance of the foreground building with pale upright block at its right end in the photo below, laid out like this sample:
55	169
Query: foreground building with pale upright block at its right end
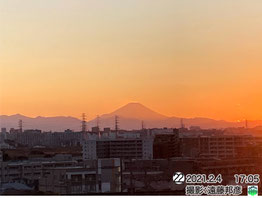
97	176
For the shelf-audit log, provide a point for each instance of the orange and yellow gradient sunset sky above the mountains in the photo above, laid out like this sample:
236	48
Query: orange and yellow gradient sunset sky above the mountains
179	57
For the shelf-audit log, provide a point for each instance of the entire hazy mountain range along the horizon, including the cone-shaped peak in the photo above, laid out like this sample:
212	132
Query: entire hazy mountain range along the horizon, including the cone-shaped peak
130	117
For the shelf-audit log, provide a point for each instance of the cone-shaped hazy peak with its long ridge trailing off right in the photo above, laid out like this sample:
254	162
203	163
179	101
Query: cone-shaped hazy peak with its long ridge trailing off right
132	115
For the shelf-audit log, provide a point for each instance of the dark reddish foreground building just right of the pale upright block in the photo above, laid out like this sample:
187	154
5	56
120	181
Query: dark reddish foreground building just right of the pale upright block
154	175
